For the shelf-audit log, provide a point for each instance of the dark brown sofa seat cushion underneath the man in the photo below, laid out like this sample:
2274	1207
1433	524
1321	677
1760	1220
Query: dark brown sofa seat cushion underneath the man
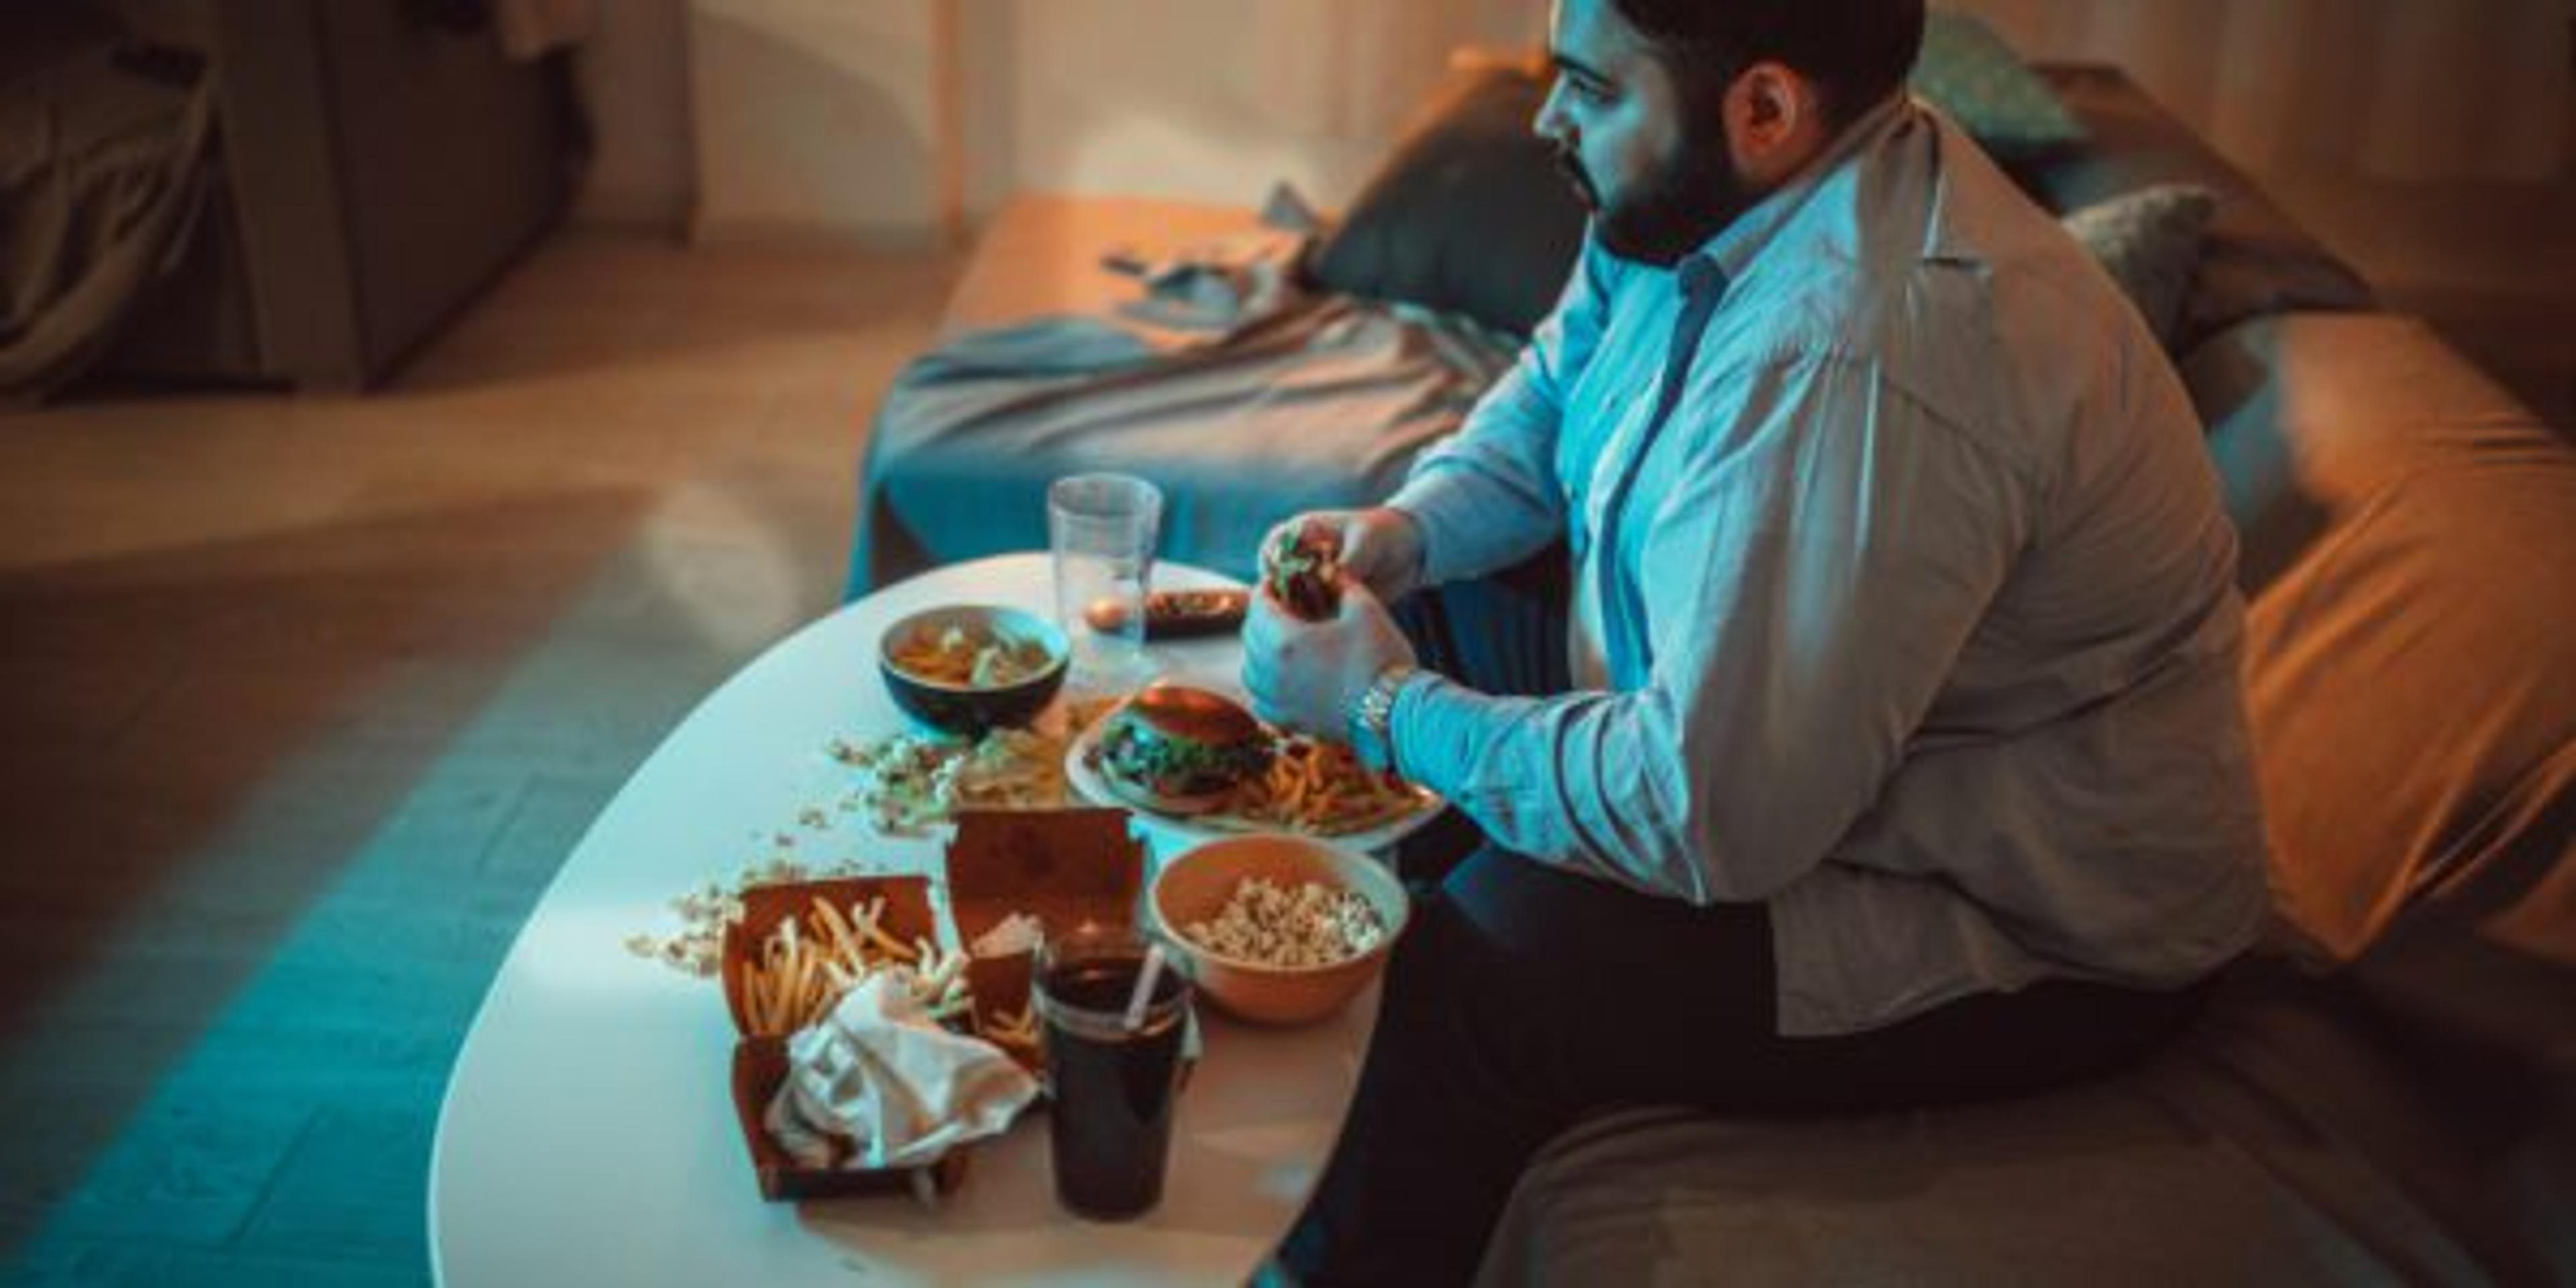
2281	1142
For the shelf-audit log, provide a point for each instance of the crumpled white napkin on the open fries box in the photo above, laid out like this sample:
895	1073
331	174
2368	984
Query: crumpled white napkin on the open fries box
882	1073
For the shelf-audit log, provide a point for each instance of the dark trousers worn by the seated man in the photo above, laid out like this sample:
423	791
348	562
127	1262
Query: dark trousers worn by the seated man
1526	998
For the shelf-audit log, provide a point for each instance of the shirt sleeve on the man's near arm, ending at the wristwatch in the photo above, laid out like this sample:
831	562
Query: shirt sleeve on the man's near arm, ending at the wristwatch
1810	581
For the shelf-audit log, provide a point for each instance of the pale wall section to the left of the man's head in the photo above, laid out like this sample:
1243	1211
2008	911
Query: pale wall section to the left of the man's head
815	117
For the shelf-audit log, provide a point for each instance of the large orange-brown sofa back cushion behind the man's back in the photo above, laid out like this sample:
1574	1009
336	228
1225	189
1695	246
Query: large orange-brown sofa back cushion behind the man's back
2410	666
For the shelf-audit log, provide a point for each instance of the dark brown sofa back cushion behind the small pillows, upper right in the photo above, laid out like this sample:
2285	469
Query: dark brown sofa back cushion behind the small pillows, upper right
2253	261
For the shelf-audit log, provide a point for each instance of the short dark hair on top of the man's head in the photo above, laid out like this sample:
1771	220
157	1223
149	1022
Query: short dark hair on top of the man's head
1853	50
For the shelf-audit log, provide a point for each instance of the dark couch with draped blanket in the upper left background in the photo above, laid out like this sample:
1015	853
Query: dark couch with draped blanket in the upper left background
259	189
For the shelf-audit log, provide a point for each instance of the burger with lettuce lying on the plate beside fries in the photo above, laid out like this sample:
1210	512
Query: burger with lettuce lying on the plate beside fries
1181	751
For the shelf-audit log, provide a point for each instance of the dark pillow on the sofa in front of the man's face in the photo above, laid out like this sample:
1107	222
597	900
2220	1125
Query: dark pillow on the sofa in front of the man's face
1470	213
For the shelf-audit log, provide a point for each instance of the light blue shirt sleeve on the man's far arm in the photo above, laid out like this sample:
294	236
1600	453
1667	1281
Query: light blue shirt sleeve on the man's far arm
1488	496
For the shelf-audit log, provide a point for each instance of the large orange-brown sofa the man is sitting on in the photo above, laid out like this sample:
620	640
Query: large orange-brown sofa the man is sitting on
2384	1091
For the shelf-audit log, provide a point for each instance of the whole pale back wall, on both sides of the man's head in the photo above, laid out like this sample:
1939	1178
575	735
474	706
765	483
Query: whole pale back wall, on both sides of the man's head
826	117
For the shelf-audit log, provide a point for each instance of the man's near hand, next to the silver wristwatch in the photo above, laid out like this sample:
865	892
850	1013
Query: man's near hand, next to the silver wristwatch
1307	674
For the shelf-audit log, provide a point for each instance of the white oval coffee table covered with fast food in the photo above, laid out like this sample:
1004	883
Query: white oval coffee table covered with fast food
589	1137
